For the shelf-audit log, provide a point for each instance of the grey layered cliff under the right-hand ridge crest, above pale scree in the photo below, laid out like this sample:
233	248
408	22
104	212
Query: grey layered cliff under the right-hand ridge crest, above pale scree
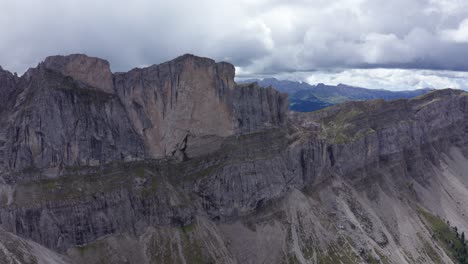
388	132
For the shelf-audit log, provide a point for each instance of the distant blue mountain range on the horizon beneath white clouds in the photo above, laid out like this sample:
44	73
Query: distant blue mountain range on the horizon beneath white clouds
304	97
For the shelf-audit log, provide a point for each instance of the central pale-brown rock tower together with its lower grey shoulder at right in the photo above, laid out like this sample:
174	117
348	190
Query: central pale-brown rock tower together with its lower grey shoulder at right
191	102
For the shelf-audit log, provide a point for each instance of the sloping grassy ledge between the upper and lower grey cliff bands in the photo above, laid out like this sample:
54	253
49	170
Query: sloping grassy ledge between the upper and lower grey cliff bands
144	177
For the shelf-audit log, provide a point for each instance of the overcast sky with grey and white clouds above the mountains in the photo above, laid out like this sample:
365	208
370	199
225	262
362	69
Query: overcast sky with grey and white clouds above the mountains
394	44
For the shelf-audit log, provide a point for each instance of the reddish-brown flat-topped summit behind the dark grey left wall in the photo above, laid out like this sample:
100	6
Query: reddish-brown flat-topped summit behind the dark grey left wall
91	71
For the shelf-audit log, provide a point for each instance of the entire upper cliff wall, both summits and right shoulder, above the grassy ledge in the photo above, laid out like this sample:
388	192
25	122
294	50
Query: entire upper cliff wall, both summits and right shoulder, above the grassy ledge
68	112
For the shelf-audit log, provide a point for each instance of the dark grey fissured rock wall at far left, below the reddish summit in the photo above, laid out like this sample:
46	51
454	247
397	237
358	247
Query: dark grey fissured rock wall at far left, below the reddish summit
56	122
